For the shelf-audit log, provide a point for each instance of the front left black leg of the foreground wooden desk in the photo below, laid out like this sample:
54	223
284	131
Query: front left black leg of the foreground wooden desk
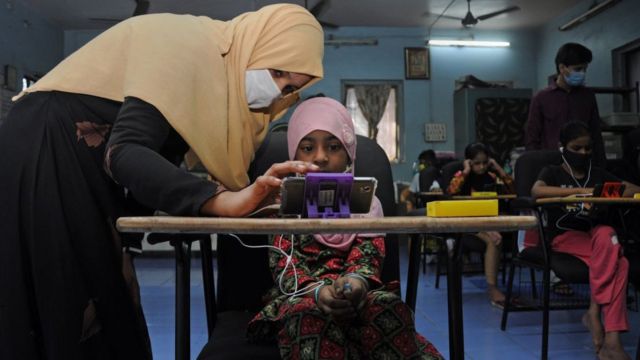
183	289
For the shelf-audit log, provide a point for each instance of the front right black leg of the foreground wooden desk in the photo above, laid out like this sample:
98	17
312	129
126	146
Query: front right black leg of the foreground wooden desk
454	299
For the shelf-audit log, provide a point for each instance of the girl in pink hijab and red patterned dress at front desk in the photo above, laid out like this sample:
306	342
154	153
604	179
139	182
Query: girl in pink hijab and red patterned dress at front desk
339	308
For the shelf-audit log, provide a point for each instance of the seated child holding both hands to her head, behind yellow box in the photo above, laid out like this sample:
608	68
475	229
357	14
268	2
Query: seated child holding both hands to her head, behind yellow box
479	172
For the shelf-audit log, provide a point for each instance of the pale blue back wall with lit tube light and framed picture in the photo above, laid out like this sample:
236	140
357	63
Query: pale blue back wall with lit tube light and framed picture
424	100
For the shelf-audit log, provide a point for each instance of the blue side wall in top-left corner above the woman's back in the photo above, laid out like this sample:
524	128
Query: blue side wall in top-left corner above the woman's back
27	41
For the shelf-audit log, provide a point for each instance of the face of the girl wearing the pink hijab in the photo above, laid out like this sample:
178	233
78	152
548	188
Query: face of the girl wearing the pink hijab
323	149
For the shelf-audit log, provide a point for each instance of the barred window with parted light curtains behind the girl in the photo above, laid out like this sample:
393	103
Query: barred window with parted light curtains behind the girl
387	129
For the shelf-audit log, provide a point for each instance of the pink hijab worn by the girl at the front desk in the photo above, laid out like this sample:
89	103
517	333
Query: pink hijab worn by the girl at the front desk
327	114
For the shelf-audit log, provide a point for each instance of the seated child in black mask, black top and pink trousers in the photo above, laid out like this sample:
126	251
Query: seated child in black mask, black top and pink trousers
594	243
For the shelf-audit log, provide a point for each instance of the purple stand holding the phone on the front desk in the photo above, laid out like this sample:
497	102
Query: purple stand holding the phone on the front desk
330	201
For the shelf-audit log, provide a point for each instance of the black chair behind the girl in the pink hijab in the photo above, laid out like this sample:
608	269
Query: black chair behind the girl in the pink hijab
244	276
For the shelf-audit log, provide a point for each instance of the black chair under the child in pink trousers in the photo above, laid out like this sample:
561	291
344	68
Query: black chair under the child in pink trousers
568	268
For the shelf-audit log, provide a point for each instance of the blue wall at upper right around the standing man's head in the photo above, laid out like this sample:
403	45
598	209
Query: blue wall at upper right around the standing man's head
608	30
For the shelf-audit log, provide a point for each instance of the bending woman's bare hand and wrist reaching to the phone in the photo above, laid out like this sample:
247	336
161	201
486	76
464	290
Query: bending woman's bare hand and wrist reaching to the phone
243	202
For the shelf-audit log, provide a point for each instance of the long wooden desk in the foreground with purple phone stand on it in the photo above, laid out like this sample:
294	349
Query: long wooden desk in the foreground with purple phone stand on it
400	224
